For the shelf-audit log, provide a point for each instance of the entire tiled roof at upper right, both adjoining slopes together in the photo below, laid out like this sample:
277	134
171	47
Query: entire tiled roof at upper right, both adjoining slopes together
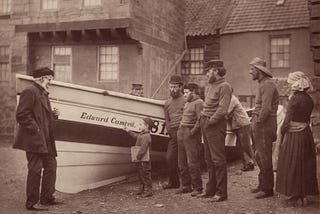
204	17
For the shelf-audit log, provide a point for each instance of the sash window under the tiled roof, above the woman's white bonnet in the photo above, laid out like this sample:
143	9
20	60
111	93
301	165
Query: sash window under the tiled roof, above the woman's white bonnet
280	52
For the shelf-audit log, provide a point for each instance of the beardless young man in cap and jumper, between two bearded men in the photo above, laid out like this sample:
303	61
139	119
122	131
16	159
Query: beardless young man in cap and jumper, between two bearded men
189	142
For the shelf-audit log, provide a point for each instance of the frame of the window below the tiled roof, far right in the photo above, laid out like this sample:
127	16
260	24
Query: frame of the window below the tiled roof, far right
283	53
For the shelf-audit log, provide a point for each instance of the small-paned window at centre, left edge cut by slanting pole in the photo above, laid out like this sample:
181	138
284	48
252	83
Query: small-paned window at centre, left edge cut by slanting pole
192	62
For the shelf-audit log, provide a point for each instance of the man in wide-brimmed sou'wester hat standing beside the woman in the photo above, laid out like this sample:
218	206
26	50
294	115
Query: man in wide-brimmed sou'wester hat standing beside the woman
264	125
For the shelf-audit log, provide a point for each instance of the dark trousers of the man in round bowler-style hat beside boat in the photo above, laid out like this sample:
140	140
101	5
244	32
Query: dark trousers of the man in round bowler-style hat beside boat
172	158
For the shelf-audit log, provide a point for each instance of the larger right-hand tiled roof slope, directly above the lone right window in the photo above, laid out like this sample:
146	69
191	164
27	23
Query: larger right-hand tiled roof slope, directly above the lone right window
262	15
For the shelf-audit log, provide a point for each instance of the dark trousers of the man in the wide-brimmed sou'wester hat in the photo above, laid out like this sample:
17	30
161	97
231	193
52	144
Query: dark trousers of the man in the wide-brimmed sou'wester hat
263	136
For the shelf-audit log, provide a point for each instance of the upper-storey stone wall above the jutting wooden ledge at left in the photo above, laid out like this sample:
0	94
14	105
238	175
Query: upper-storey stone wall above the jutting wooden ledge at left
29	12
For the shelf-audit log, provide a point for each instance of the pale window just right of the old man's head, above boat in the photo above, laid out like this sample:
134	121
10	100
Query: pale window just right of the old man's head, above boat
62	63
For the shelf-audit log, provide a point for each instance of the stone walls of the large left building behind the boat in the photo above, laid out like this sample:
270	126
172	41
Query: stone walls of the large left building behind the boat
155	30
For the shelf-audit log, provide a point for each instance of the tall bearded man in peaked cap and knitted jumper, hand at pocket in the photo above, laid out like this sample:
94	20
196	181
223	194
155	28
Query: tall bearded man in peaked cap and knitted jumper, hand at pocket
213	125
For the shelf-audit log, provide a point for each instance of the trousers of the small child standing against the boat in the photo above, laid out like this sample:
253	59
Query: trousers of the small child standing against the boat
144	174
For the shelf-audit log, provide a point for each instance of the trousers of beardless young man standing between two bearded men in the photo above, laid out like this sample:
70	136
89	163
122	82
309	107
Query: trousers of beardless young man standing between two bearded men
189	158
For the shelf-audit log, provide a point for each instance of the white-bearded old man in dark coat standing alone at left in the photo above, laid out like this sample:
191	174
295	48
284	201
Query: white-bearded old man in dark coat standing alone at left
35	136
